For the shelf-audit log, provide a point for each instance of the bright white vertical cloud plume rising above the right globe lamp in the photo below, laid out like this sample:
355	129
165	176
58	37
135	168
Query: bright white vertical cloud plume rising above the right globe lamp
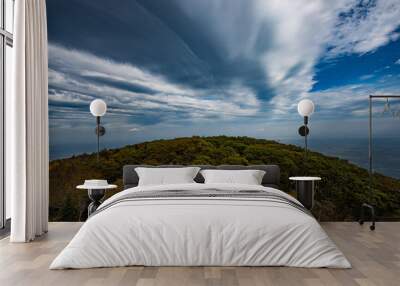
301	29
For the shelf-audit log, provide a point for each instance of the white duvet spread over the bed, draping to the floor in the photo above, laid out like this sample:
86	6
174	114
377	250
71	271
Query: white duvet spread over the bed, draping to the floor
193	231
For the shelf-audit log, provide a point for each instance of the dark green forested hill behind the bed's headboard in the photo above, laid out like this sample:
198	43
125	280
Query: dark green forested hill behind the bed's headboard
344	186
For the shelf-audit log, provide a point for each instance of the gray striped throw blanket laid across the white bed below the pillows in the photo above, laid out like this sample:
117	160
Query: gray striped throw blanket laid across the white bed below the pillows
205	194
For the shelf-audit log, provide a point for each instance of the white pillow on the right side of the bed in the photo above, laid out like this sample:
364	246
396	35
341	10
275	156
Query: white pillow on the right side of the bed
248	177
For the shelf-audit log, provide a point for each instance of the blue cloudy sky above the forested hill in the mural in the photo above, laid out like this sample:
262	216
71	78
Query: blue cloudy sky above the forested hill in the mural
208	67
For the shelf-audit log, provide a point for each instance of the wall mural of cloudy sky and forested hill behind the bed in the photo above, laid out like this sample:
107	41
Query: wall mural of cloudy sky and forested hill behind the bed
195	70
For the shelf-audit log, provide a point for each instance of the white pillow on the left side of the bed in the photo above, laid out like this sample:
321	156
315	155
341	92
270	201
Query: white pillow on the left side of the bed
166	176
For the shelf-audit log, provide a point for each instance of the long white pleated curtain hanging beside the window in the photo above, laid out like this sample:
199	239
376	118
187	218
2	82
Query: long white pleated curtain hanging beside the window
28	124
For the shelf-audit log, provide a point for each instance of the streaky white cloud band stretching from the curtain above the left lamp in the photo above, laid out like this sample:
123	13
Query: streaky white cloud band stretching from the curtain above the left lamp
77	77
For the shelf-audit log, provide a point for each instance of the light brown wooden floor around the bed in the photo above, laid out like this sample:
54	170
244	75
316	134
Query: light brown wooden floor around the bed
375	257
